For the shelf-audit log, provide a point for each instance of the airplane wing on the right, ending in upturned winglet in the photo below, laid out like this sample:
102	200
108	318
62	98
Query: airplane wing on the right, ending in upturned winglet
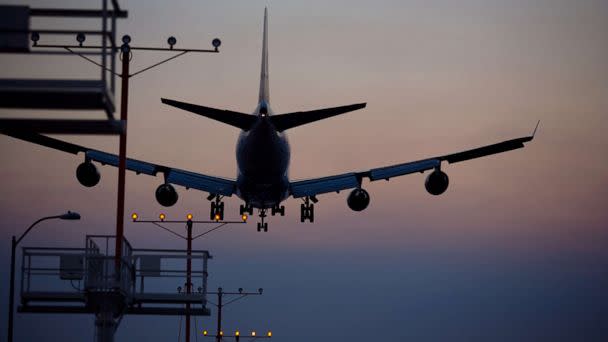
317	186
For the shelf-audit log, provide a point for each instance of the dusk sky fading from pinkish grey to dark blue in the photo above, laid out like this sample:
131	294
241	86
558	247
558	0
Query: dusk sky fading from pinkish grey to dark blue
514	250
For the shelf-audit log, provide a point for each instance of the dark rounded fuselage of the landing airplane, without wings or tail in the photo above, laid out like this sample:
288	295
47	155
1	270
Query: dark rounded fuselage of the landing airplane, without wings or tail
262	155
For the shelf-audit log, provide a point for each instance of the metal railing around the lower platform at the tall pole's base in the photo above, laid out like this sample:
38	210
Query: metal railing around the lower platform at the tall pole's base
146	276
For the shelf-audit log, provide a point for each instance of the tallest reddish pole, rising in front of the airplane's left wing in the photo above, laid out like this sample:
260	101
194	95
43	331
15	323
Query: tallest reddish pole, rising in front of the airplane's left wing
122	156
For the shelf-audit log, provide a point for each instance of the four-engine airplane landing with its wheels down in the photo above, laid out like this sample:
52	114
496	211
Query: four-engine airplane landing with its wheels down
262	156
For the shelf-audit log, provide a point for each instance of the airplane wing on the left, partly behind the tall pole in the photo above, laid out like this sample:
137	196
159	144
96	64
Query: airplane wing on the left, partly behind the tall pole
187	179
